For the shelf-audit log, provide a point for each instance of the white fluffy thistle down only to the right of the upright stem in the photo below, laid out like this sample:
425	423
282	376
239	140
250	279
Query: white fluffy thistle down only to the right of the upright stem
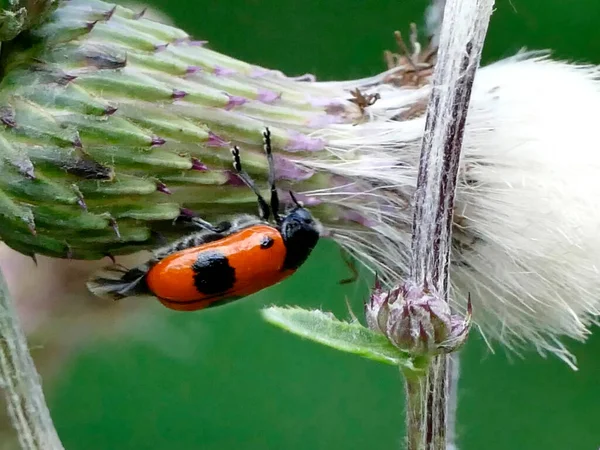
531	197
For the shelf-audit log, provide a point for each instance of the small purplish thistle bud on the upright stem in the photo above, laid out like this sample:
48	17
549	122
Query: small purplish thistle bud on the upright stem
416	320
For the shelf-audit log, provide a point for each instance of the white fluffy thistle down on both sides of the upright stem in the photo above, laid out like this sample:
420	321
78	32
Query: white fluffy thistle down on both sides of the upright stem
527	234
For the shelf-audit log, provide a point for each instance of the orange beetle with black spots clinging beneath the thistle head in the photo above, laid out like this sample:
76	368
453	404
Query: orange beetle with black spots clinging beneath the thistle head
224	262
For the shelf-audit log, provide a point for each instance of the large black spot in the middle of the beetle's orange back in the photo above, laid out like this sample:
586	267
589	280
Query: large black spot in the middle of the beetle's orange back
213	274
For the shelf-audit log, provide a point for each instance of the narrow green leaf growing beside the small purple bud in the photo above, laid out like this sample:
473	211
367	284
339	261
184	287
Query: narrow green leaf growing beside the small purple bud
351	337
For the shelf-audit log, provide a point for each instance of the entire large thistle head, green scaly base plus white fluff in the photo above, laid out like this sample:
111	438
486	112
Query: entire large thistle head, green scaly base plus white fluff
113	126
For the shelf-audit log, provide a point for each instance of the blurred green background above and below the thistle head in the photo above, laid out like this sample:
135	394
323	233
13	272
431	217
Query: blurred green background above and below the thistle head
223	379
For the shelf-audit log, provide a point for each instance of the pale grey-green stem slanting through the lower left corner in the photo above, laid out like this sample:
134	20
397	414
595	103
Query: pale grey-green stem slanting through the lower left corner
21	382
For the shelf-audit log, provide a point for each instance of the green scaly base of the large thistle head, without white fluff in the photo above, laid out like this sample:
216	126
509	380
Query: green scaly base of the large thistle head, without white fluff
112	125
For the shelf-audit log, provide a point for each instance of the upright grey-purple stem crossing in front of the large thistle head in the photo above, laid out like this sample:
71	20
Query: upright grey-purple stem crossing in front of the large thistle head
461	40
